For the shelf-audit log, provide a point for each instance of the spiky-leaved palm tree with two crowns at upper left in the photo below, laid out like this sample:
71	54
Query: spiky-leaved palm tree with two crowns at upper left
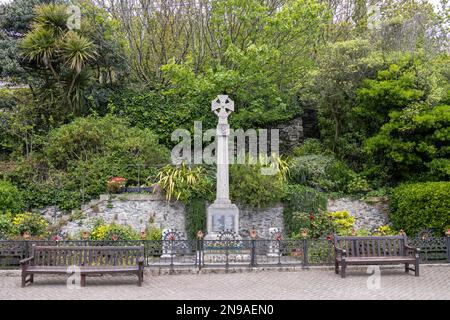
63	52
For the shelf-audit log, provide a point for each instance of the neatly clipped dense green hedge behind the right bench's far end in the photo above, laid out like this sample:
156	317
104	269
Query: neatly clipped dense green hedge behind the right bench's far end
421	205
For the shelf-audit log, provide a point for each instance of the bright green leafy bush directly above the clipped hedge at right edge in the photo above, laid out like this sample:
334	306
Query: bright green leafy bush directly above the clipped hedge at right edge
414	144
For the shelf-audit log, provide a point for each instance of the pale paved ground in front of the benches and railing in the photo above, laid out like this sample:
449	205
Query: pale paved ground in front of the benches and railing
433	283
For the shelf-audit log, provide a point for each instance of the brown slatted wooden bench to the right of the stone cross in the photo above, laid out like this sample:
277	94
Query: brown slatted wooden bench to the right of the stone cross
374	251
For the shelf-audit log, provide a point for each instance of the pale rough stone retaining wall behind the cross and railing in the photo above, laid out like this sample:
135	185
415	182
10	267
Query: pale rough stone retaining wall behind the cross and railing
142	211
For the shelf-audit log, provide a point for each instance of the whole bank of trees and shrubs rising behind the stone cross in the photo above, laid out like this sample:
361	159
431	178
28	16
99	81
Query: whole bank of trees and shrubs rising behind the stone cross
370	80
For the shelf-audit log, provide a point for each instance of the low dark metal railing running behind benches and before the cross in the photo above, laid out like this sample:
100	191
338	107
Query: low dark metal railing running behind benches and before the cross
172	254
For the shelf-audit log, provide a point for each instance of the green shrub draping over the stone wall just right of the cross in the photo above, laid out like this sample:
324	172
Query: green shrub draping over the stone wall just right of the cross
298	198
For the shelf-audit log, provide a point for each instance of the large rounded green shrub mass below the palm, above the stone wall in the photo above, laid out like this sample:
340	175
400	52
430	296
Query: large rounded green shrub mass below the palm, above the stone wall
79	158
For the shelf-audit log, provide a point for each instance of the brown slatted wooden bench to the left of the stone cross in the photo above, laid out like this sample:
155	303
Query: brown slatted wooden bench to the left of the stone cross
89	260
